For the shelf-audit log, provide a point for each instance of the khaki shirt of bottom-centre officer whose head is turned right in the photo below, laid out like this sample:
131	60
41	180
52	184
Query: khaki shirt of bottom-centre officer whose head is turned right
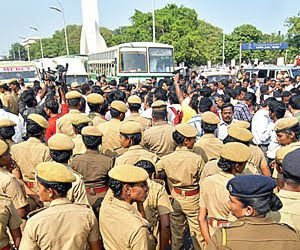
122	226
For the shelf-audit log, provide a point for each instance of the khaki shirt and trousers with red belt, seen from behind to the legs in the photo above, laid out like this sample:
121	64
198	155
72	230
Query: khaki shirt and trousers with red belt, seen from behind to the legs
183	169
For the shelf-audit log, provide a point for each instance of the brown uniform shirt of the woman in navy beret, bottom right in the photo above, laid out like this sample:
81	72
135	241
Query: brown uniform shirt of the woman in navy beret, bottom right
254	233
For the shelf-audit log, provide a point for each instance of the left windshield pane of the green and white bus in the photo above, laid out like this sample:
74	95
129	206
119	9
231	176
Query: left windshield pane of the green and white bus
133	60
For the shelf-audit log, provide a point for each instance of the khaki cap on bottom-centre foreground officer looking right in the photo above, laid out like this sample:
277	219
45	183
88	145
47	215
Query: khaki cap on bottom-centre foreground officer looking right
128	174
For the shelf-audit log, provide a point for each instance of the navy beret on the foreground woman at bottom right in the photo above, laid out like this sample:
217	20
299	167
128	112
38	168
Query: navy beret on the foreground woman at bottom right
251	186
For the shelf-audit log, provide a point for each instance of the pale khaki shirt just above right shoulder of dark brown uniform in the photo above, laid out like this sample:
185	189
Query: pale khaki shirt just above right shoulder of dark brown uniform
111	136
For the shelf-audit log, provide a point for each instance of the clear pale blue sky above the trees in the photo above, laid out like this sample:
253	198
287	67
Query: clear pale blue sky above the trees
16	16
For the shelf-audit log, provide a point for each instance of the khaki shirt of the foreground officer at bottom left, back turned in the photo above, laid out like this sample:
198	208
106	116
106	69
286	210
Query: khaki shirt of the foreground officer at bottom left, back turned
61	226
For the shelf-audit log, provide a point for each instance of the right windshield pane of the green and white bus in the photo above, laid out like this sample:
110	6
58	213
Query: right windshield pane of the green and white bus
161	60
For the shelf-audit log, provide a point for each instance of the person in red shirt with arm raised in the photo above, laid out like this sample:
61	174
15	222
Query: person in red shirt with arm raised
51	108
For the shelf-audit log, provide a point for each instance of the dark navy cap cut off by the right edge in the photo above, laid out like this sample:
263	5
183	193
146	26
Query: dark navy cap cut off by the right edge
291	166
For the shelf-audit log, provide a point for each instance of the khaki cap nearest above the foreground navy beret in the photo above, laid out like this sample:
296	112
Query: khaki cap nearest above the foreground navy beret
236	152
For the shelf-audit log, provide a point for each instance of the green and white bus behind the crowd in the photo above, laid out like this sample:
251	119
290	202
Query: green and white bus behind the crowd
138	60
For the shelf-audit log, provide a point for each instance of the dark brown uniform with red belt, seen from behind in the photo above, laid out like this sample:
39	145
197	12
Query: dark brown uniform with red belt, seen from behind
94	168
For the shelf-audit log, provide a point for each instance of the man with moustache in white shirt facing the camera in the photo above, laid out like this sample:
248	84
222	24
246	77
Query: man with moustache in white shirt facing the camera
227	119
